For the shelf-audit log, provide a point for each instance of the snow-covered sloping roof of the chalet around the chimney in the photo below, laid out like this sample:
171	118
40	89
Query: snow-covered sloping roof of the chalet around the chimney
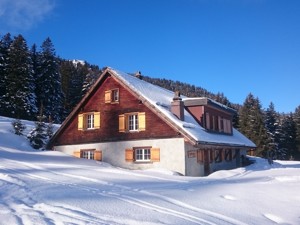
161	99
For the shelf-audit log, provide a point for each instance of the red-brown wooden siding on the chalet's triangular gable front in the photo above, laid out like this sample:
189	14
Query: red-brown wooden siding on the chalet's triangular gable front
109	130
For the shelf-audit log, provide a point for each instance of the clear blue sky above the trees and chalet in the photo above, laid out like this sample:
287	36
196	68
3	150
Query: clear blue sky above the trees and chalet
230	46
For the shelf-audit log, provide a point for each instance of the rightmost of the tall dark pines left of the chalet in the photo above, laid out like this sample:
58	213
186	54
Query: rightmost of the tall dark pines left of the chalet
49	91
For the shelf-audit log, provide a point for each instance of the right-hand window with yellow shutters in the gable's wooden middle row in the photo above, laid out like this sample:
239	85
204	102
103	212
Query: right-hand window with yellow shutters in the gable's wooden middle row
132	122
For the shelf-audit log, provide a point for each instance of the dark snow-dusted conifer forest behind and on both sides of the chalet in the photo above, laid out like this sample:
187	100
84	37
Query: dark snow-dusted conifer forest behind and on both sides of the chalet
38	85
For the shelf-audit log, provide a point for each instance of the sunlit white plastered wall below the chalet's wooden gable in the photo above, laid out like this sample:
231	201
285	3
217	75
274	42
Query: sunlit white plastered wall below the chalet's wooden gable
172	153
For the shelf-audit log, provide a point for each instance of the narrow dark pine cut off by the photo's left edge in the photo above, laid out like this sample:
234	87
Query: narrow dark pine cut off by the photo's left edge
5	42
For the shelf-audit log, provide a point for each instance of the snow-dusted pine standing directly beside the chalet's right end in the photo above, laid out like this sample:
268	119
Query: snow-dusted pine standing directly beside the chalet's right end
252	124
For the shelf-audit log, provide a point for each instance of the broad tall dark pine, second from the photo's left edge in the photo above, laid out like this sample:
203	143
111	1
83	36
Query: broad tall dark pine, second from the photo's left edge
20	97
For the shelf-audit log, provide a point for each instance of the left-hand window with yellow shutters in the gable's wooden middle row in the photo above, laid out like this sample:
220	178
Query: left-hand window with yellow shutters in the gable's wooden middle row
89	121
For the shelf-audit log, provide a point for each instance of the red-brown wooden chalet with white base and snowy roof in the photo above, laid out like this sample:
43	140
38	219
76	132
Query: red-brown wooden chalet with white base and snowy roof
130	123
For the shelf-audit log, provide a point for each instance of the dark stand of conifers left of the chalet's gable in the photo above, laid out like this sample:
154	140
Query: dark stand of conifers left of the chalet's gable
33	79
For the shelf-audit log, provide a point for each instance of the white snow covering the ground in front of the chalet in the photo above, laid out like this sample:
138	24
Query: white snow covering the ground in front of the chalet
46	187
